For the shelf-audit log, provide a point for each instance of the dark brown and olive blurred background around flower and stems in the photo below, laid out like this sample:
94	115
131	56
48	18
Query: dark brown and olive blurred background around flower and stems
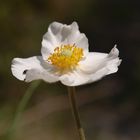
109	108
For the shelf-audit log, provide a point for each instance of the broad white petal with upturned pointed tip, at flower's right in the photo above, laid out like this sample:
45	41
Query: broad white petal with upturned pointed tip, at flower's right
97	65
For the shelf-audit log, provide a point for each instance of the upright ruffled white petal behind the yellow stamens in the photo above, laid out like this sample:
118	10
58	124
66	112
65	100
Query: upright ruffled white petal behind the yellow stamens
59	34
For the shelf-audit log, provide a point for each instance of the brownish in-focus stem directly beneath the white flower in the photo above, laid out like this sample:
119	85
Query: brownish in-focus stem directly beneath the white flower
72	92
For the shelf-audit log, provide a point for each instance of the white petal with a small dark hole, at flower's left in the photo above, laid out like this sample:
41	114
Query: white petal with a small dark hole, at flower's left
32	68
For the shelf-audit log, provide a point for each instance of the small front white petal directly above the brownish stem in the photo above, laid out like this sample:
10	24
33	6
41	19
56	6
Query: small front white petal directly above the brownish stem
74	78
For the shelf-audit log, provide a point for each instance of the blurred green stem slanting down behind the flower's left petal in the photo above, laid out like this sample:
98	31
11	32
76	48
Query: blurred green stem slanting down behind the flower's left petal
22	105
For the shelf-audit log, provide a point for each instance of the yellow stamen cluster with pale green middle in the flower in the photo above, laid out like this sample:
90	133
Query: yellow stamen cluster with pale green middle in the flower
66	57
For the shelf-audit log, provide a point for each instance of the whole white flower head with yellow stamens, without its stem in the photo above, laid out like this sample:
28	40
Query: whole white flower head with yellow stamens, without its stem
66	58
